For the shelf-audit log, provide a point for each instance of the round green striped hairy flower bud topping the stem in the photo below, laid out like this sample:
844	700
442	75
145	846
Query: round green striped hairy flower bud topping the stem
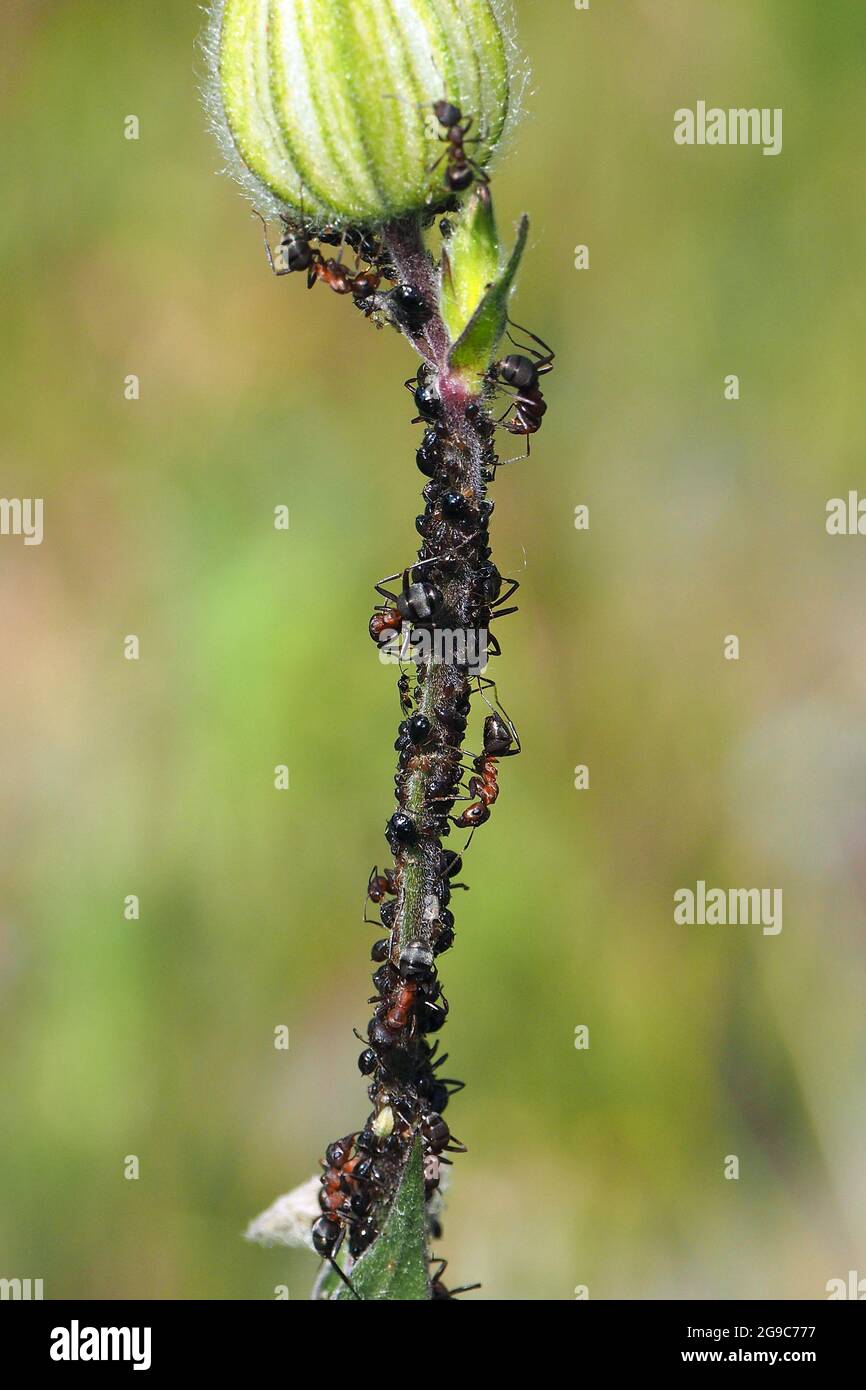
327	106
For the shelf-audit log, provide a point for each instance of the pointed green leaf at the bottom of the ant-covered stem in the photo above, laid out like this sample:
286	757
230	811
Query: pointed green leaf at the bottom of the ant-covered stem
397	1266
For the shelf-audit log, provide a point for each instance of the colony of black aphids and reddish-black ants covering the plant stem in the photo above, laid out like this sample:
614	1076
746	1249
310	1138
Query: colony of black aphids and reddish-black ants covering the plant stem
440	787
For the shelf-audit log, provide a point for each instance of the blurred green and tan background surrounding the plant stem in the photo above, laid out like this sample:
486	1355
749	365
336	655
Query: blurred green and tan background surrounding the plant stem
155	1038
